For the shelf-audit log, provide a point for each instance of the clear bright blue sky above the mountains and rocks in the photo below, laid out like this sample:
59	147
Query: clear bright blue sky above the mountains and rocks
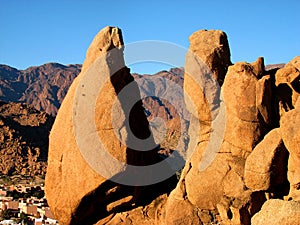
34	32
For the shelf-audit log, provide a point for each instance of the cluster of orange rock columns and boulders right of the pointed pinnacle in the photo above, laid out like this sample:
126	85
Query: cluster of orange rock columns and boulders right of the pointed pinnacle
244	170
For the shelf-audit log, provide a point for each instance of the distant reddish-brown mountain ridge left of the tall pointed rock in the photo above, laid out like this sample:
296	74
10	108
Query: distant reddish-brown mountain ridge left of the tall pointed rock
43	87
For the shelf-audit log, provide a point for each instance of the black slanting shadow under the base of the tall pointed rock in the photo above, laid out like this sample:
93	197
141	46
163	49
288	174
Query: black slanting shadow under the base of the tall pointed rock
93	207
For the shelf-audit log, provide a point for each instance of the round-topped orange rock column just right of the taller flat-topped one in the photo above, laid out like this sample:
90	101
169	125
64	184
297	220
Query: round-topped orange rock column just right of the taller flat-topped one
248	109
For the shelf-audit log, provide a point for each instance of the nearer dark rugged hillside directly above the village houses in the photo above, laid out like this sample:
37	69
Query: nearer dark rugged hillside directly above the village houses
24	135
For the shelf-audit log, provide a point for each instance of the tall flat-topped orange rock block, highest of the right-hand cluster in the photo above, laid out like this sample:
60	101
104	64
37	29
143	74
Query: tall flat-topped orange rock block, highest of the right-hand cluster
206	64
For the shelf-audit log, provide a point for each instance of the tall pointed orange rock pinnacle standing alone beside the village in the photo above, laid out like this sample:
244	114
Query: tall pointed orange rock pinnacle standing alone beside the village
92	150
